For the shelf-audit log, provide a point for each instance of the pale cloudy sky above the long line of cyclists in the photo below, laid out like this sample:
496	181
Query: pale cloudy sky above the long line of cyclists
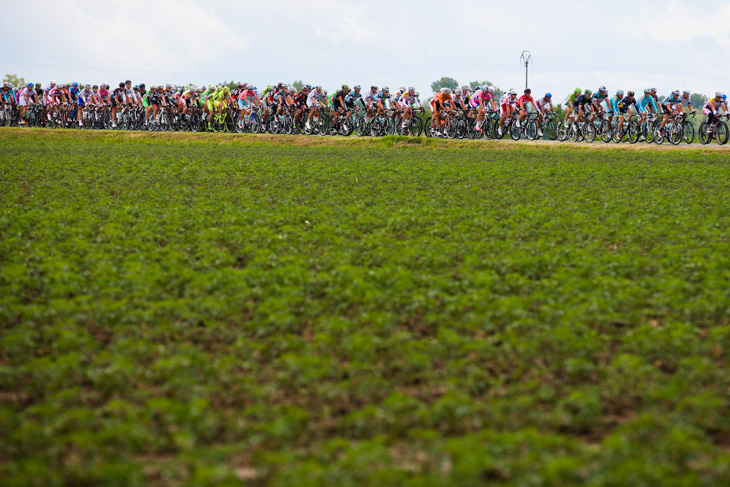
622	44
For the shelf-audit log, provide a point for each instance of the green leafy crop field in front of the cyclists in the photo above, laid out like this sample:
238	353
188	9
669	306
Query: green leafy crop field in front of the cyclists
182	310
